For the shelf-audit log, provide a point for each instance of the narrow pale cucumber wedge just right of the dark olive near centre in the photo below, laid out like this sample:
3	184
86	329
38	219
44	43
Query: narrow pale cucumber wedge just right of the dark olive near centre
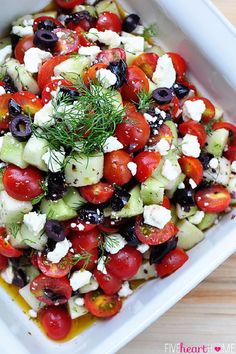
133	207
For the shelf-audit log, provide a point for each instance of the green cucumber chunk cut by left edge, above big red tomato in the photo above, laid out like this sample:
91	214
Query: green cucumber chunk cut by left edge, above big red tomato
12	151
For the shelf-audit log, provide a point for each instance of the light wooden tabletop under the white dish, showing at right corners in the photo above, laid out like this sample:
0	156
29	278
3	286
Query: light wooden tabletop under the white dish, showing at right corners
207	315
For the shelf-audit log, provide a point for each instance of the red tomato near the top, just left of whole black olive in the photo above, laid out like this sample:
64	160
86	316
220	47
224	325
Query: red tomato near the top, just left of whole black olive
109	21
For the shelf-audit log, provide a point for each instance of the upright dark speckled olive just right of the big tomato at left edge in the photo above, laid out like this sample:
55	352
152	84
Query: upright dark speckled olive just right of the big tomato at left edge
56	185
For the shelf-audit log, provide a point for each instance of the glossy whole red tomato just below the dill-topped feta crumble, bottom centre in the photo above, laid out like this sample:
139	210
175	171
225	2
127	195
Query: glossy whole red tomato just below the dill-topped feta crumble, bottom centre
124	264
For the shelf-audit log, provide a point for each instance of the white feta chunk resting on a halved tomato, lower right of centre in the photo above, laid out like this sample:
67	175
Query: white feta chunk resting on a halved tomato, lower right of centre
156	215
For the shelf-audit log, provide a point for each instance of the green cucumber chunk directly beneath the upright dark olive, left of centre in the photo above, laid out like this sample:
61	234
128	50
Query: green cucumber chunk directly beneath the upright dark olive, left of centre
57	210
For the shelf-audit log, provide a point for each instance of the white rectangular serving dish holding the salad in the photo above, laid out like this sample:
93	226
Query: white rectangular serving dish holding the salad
208	42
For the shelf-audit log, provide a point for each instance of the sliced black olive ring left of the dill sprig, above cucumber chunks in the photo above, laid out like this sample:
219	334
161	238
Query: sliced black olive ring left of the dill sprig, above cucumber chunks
20	127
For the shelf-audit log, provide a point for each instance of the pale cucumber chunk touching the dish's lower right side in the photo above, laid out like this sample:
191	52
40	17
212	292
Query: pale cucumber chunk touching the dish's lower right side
189	235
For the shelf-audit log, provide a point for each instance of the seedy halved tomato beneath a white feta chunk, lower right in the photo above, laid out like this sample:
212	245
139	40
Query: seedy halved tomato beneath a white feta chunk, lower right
151	235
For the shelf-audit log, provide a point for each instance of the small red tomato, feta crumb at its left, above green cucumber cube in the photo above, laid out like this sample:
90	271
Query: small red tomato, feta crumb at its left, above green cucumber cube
147	162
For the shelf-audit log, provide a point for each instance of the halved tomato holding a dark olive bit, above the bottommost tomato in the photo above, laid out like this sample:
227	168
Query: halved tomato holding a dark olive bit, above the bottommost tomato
51	291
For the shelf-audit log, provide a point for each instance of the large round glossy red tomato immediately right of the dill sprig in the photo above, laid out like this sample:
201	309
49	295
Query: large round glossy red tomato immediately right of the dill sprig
133	132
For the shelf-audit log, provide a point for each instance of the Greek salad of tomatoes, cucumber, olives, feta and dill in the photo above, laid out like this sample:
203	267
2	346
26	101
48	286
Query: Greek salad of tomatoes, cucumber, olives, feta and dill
112	163
